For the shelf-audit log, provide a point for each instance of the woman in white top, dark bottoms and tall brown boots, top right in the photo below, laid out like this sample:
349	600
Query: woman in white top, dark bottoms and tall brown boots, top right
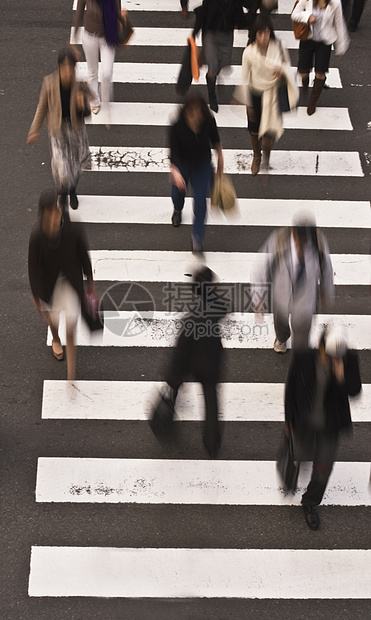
326	28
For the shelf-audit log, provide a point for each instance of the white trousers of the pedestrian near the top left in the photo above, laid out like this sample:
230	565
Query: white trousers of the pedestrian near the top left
92	45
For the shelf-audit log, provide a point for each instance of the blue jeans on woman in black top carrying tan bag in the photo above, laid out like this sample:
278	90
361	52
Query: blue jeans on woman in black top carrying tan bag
200	176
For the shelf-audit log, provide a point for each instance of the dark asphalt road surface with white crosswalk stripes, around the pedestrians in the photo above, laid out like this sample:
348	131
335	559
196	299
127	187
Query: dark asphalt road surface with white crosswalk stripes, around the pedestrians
101	548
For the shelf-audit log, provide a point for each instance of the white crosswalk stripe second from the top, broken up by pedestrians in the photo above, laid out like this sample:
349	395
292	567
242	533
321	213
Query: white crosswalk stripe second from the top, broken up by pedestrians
177	37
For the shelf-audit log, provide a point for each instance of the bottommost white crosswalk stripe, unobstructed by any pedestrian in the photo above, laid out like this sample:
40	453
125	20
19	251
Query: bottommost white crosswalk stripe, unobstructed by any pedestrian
184	573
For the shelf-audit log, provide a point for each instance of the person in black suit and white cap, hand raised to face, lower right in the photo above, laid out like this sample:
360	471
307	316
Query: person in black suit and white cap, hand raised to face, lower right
317	408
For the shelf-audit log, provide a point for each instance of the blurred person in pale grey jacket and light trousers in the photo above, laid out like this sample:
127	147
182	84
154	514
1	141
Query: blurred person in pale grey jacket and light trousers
297	267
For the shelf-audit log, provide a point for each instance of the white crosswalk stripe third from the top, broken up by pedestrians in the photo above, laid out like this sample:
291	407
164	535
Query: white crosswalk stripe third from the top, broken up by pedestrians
167	73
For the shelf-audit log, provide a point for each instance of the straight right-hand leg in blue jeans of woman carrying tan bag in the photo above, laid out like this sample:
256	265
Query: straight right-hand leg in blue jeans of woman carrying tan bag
200	178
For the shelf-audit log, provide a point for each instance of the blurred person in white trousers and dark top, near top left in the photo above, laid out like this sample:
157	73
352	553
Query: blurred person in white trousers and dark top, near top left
100	37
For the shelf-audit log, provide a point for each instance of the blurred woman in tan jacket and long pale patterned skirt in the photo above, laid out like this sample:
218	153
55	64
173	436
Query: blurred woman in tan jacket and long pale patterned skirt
64	102
